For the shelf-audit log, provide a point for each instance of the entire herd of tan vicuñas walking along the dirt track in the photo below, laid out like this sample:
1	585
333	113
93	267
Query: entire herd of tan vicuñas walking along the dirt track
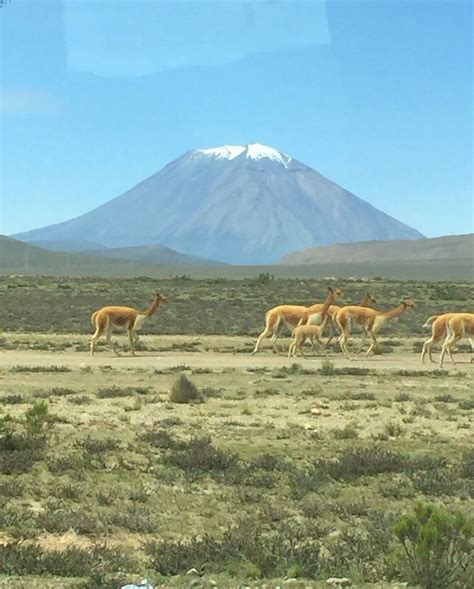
308	324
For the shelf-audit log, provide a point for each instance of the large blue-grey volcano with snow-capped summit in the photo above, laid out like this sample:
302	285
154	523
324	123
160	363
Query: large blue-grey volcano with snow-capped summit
243	204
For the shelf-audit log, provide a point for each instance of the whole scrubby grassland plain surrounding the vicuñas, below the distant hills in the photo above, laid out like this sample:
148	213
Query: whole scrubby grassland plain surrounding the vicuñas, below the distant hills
288	475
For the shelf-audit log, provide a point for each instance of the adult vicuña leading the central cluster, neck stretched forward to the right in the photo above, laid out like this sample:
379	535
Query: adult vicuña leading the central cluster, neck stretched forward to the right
370	320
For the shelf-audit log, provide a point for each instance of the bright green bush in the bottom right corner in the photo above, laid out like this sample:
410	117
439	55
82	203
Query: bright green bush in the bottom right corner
437	547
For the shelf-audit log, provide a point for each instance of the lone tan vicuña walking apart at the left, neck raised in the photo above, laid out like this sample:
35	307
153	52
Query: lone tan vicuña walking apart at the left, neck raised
126	317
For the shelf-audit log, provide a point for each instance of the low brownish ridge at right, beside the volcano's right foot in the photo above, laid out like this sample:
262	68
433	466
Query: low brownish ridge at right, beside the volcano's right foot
449	247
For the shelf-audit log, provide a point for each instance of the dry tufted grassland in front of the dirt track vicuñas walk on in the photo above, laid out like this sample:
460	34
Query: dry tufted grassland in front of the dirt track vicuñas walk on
109	474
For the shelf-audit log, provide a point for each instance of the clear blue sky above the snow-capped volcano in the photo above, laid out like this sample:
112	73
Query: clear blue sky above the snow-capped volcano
377	96
